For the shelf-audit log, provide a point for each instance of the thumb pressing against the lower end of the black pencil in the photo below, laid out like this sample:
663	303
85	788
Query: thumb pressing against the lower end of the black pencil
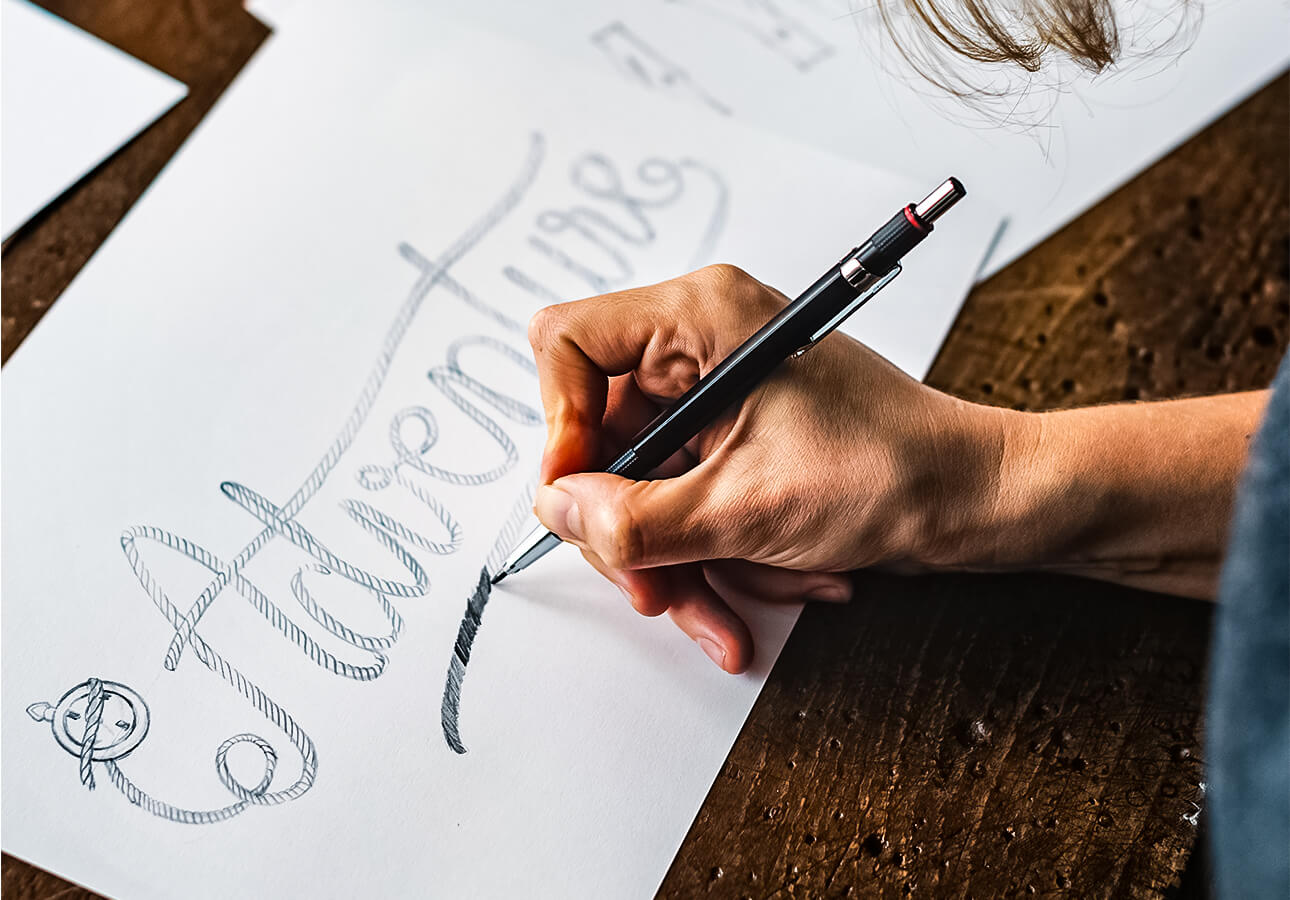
637	524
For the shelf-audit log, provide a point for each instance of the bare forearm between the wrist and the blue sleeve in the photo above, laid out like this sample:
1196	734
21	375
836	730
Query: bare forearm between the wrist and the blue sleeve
1132	493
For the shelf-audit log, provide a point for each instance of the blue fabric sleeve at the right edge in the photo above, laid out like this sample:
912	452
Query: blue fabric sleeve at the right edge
1249	702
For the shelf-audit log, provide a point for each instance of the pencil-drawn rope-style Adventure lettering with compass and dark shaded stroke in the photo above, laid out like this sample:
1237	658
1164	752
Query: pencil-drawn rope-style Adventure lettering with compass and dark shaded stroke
589	244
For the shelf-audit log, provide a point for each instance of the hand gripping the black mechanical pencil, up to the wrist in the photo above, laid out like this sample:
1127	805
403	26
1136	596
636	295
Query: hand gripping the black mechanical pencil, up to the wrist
839	461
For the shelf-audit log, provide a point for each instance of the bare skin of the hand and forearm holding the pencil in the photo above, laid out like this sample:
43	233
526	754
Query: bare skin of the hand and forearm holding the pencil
840	462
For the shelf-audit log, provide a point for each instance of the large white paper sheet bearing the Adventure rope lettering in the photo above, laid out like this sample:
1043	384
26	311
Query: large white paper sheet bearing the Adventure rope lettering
300	363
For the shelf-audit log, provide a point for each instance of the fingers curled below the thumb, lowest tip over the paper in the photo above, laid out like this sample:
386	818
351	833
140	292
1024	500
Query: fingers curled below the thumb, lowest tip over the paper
691	603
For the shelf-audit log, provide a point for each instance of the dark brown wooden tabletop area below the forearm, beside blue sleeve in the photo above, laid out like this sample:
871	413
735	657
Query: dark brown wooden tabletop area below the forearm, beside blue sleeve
964	737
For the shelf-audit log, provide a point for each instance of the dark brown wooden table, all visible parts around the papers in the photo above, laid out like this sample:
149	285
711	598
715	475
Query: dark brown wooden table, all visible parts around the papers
954	736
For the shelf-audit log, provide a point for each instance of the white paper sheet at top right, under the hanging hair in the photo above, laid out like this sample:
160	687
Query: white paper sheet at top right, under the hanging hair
822	72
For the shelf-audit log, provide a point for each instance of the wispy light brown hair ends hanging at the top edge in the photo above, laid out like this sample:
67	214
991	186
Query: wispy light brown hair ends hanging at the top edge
1022	46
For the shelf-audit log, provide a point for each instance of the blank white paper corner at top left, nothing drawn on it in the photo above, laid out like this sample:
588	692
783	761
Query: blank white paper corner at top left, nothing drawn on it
68	103
